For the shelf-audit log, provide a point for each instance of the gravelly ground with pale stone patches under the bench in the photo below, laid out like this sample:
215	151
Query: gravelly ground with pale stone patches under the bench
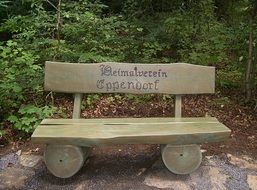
135	167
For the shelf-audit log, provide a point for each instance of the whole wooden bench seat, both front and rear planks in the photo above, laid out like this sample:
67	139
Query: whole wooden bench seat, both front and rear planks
108	131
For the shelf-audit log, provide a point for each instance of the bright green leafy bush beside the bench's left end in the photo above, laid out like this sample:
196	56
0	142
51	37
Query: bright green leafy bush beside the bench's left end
20	83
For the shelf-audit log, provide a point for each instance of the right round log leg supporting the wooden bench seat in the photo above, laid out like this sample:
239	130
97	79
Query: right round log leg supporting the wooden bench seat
181	159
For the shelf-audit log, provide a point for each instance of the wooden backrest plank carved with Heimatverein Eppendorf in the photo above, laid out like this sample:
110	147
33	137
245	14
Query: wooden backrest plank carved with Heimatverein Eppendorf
176	78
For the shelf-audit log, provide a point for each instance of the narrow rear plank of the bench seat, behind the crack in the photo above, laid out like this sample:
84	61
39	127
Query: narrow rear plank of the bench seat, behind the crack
130	120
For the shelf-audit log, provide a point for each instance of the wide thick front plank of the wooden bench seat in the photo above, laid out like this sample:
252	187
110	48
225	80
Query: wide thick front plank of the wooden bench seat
100	134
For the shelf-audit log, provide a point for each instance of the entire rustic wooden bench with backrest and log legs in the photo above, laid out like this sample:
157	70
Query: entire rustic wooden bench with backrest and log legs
69	140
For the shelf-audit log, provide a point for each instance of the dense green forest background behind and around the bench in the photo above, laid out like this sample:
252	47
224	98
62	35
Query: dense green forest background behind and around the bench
204	32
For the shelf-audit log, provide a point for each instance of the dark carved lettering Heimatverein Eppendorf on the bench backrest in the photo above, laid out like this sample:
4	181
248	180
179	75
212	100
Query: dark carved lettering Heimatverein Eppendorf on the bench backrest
115	79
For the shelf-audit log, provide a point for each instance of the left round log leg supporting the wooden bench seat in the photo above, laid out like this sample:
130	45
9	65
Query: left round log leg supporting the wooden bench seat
65	160
